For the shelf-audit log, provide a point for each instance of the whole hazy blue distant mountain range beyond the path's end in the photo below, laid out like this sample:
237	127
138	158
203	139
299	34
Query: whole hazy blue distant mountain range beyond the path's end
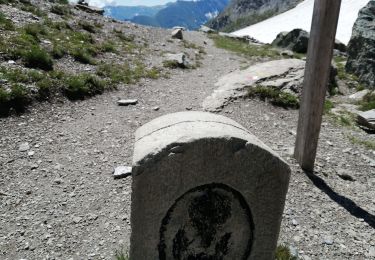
189	14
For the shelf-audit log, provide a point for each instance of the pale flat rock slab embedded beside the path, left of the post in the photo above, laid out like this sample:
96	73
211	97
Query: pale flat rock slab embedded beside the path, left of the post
284	74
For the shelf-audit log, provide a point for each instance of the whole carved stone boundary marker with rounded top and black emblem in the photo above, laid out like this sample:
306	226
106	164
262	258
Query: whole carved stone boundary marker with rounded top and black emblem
204	187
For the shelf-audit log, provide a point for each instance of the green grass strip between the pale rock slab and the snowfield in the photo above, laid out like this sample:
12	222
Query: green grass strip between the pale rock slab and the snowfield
243	48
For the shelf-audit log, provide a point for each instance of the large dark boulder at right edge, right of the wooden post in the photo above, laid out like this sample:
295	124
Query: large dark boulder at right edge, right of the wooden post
361	48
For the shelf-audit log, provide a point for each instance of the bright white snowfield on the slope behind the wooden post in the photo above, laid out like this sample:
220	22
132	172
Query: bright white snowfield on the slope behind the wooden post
300	17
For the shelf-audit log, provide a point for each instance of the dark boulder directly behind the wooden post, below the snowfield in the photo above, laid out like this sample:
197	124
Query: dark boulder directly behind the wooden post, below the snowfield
297	40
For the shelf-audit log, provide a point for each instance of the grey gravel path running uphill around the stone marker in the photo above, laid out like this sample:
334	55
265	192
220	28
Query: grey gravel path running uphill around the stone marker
59	200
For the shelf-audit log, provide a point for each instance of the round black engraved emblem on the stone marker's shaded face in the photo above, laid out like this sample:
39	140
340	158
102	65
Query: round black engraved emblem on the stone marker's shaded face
209	222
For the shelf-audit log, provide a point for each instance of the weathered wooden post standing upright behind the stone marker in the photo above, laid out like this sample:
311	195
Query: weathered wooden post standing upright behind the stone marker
319	56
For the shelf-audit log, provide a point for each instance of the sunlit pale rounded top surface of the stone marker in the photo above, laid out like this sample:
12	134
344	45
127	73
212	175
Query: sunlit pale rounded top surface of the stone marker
186	127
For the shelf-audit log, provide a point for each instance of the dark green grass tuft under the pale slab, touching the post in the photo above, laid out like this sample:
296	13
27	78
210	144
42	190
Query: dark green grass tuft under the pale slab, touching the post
274	96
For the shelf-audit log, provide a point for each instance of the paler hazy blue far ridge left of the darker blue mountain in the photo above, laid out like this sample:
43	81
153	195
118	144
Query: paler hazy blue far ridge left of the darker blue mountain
129	12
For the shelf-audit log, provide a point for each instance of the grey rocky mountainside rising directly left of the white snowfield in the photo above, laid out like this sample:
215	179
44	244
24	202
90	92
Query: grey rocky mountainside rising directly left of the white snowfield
242	13
